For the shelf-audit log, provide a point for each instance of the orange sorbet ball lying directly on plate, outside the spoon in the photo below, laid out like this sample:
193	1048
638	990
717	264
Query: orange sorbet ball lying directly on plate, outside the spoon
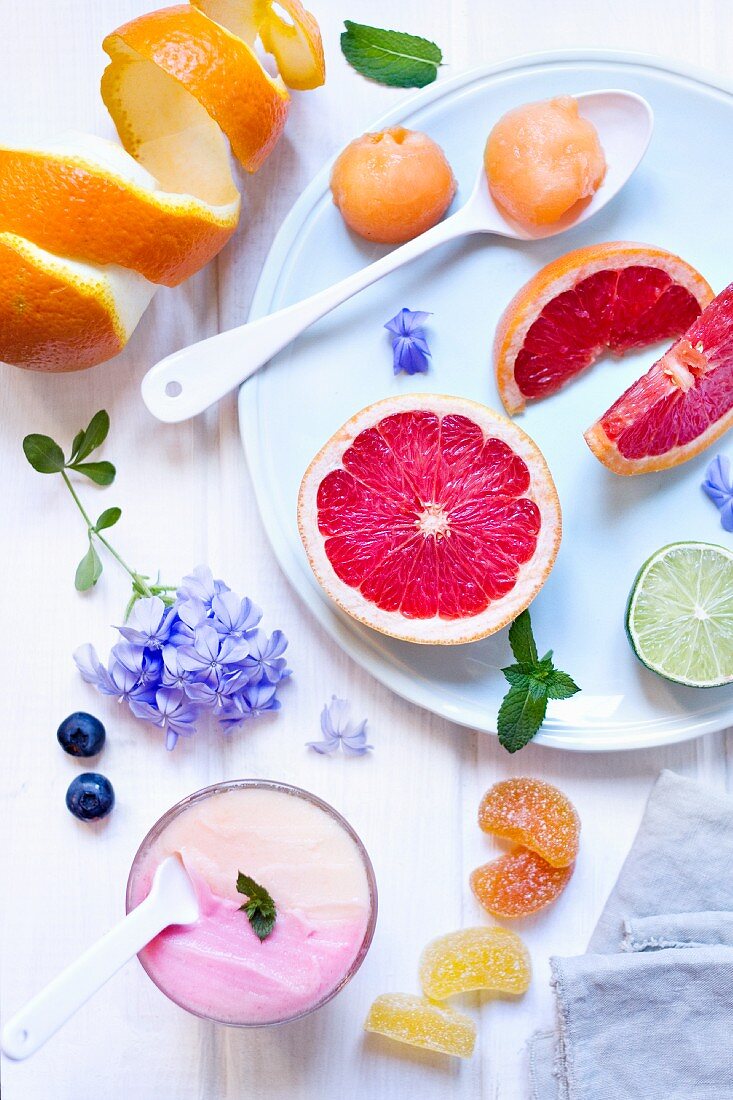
392	185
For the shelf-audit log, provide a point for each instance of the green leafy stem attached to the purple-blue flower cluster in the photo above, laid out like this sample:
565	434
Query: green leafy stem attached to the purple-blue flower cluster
47	457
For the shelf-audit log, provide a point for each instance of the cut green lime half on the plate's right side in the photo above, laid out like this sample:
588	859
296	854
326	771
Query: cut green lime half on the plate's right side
680	618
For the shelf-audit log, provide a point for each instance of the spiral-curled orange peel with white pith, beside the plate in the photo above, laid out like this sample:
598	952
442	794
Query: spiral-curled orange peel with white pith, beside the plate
87	229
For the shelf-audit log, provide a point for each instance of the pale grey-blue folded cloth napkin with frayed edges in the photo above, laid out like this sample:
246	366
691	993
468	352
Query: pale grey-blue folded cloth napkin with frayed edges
648	1014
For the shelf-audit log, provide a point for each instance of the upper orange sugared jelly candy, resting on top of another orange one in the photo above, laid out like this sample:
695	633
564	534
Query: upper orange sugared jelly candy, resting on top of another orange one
537	816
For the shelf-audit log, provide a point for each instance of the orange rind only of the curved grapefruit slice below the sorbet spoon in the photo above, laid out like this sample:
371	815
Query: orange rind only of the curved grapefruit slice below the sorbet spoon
564	274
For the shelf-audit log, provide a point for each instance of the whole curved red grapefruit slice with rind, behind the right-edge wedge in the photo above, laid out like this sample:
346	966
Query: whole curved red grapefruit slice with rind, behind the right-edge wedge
615	296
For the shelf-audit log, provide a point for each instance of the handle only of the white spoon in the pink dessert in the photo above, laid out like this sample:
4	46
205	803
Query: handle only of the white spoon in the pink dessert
50	1009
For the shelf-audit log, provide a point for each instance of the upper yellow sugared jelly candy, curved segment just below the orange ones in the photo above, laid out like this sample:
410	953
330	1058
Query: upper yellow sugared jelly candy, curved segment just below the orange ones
475	959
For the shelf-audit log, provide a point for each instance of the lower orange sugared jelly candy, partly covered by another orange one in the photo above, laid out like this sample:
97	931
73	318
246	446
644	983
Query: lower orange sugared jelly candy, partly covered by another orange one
519	884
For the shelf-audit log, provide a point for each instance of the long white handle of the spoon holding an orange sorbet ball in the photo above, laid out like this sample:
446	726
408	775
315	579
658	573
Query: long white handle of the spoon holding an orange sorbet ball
189	381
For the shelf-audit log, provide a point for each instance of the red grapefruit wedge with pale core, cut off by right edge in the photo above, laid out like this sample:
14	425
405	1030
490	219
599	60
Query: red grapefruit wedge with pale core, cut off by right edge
681	406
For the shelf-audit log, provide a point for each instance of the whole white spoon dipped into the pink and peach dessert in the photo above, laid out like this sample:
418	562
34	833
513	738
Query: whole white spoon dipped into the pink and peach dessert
172	900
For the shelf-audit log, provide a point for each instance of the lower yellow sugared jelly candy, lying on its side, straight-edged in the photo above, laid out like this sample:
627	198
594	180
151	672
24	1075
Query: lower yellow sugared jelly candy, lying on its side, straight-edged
413	1020
